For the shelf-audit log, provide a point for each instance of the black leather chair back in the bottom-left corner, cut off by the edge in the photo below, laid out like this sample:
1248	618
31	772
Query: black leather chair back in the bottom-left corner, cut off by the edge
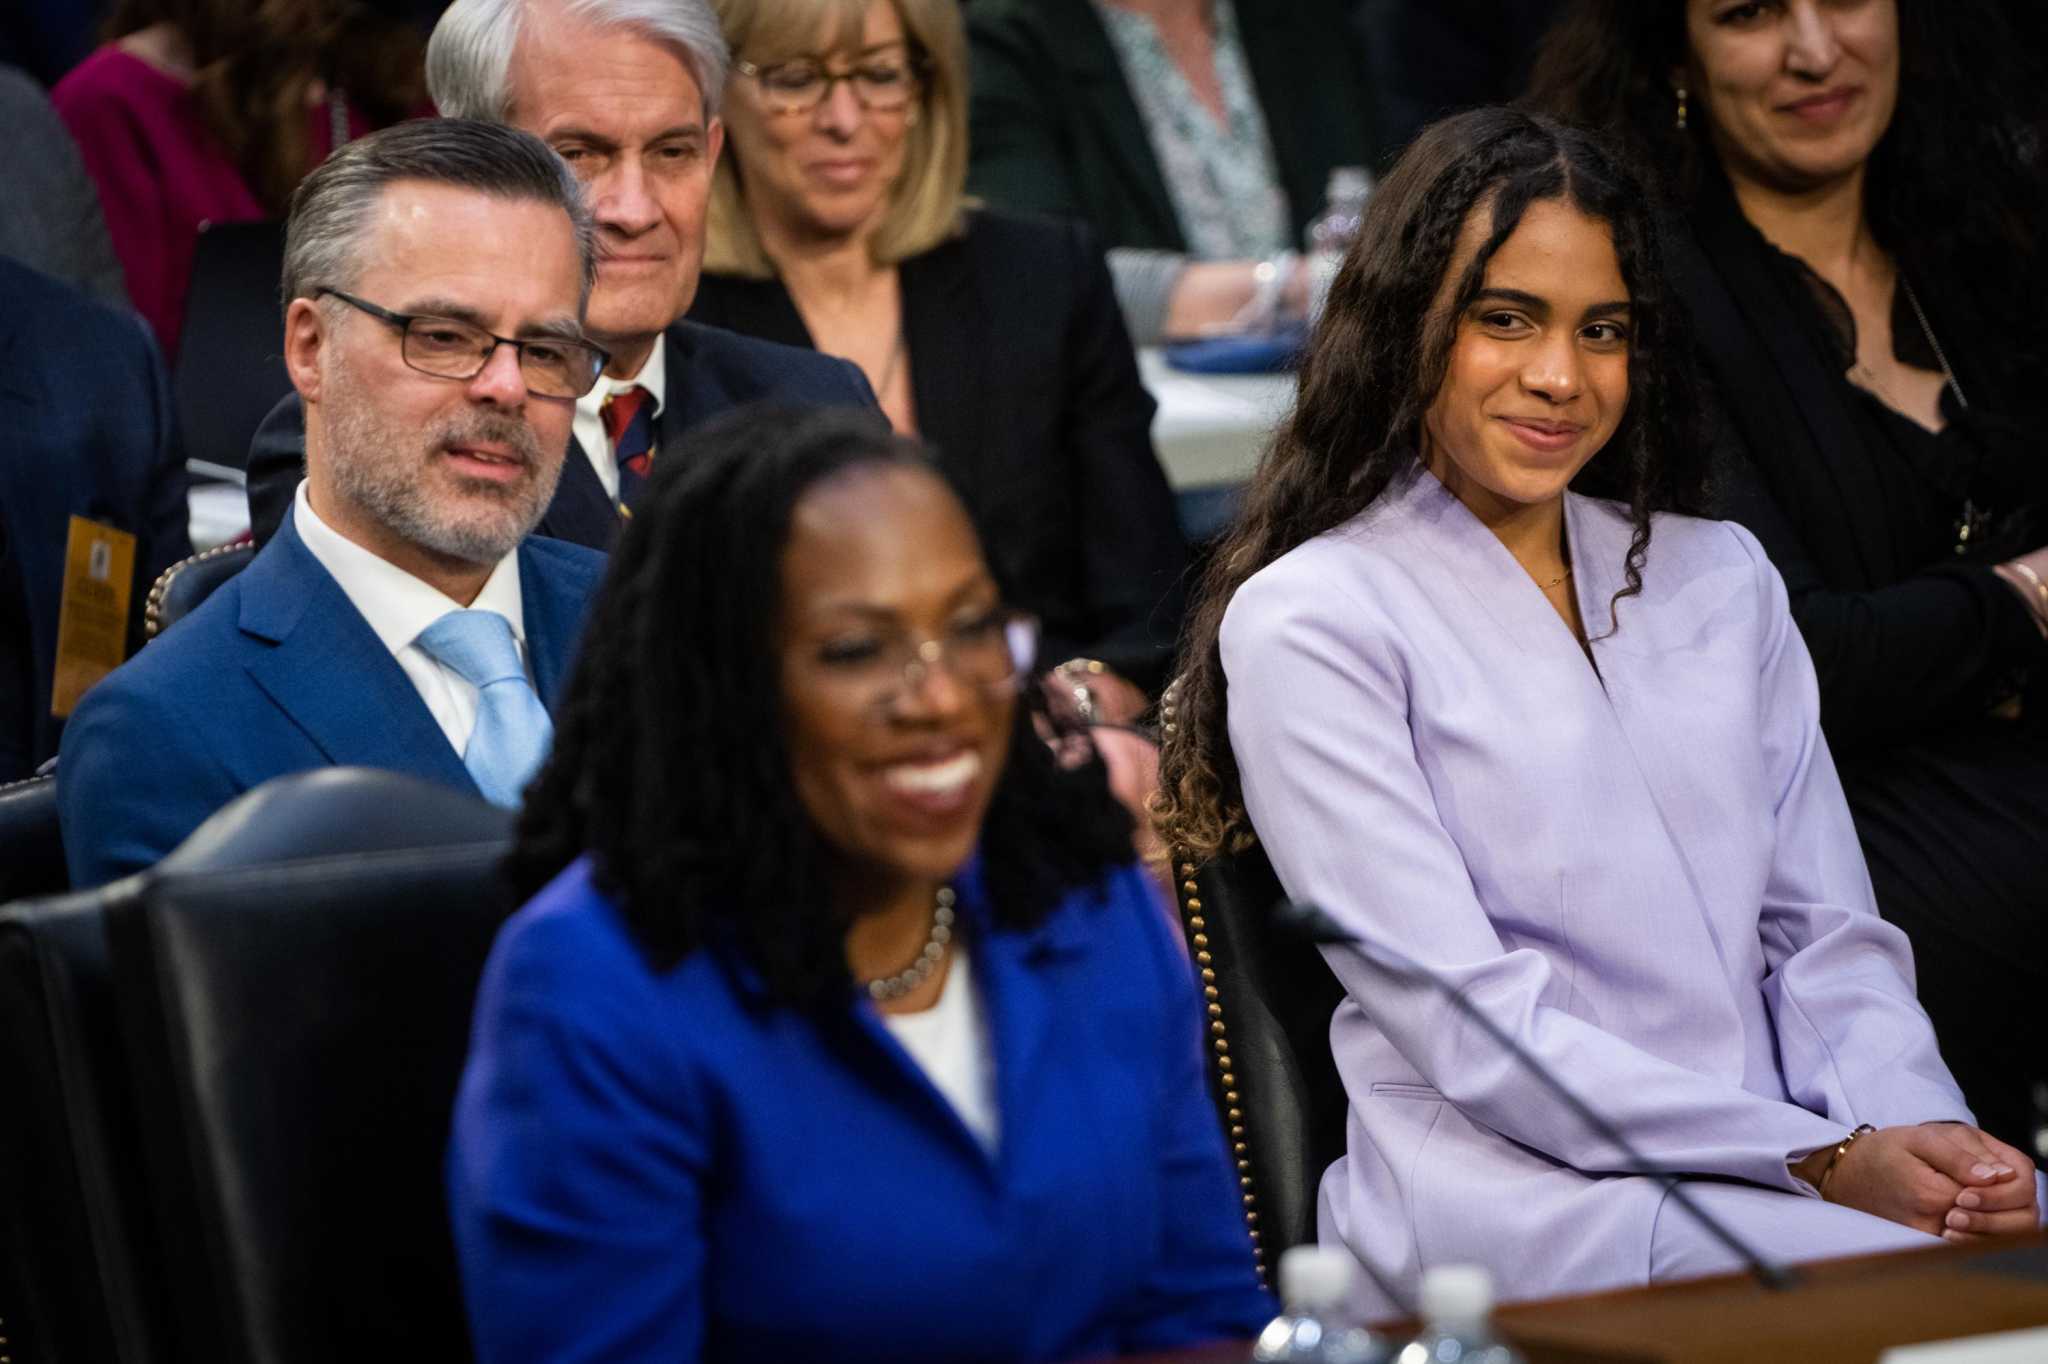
77	1254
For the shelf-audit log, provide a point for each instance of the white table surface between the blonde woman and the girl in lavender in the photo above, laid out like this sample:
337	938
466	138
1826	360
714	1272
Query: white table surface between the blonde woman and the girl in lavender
1211	429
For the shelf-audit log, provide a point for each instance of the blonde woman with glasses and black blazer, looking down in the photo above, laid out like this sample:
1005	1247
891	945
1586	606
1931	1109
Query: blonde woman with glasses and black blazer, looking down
839	222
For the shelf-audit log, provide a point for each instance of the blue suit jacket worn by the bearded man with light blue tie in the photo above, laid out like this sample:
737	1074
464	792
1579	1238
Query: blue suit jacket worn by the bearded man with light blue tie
275	673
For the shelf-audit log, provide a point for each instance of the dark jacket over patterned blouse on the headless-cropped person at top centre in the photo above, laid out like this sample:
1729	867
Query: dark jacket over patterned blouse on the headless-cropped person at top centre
1058	132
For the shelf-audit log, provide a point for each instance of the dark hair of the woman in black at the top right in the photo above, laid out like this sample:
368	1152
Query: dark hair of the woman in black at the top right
1957	187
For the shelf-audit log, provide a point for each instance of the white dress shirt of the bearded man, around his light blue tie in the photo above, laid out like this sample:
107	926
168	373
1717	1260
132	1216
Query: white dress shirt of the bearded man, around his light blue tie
398	607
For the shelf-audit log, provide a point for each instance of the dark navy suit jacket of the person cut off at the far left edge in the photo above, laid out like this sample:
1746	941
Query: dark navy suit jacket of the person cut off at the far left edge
85	429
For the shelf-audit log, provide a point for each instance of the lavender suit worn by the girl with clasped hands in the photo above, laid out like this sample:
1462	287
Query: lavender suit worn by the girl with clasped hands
1646	873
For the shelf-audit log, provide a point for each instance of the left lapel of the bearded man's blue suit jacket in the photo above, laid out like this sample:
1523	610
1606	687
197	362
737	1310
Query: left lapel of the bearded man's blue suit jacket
329	671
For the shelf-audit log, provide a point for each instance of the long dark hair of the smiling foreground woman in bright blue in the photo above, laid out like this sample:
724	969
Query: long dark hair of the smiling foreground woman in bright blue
669	765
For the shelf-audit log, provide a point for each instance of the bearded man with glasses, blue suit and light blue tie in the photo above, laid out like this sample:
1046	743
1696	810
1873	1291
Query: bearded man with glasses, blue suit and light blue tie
404	615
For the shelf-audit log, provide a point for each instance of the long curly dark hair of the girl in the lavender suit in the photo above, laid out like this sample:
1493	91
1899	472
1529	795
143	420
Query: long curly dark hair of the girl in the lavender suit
1371	374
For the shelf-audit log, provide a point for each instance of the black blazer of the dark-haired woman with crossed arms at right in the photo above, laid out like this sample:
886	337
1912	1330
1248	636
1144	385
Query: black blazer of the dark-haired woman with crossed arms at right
1906	636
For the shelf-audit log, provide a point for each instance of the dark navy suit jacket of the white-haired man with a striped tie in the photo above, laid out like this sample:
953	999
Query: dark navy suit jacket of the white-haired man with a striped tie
710	372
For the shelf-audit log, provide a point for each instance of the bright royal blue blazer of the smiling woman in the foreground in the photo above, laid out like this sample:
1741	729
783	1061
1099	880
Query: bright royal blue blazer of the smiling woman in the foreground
671	1166
